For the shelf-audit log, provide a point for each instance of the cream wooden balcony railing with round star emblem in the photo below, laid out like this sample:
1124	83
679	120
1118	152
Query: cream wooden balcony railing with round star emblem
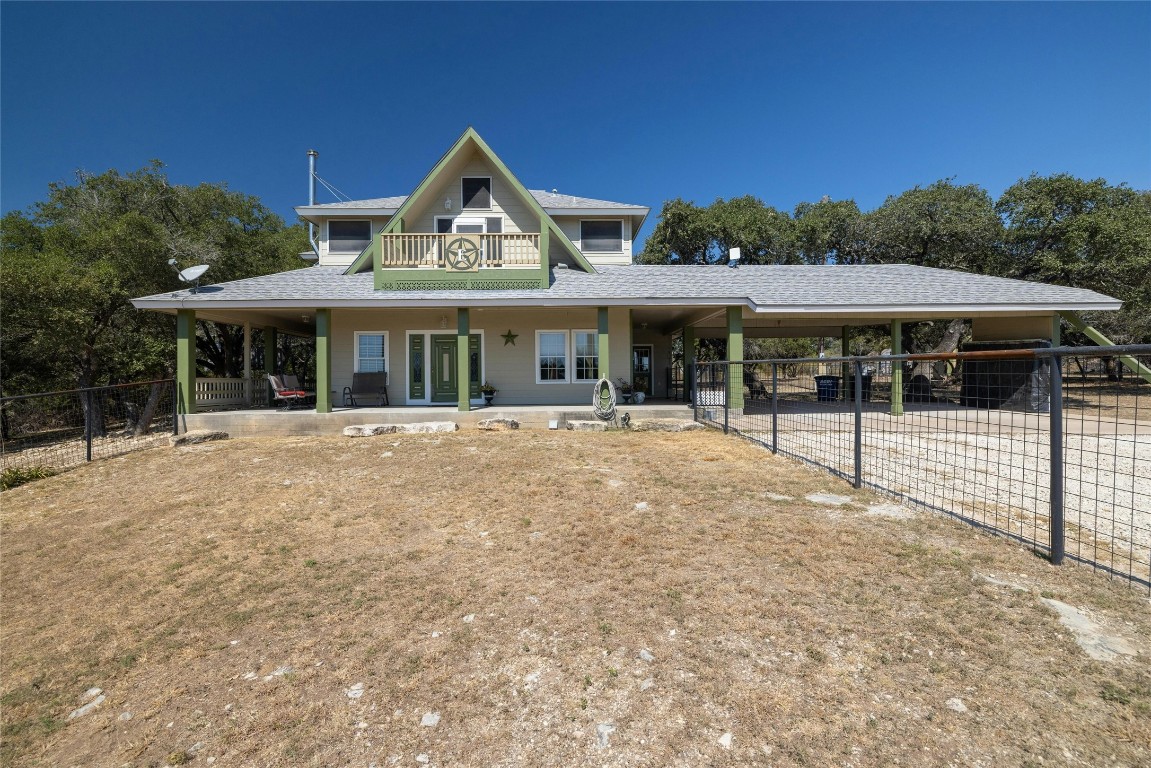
460	252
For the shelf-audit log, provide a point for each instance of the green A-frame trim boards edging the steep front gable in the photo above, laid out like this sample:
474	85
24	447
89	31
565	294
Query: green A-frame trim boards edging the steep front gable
370	258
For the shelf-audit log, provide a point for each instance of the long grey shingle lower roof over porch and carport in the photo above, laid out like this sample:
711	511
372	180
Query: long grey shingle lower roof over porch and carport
829	288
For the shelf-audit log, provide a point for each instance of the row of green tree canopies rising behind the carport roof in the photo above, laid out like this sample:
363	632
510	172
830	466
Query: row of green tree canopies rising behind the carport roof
1056	230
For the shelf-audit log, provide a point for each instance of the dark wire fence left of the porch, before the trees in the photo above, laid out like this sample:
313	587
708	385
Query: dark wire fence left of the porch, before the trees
59	430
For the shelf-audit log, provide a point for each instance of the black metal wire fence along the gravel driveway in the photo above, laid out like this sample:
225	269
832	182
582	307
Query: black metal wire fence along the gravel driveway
1050	447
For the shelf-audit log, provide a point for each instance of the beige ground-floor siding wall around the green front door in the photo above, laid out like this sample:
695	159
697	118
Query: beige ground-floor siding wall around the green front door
510	368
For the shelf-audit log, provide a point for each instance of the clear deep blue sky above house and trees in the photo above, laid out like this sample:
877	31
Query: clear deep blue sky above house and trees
634	103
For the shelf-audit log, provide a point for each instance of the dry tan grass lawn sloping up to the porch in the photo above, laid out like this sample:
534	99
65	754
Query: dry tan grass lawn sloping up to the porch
531	589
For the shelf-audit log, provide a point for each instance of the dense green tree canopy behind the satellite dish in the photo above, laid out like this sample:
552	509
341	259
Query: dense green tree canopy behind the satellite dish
72	264
